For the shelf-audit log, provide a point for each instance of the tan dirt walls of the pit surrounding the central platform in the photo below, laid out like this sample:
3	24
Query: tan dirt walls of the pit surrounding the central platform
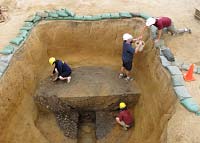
84	43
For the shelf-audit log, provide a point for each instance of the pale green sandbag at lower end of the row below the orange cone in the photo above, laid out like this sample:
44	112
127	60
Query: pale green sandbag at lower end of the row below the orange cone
190	104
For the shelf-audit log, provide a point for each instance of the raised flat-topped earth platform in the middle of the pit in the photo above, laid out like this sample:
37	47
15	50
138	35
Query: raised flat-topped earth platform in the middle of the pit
92	88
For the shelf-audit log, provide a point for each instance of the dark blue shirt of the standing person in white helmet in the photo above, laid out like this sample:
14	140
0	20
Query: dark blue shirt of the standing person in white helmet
128	52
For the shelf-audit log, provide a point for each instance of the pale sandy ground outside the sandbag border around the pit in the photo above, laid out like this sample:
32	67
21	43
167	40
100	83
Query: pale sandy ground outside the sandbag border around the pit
184	126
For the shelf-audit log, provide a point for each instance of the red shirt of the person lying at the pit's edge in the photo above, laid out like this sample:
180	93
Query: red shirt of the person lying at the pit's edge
162	22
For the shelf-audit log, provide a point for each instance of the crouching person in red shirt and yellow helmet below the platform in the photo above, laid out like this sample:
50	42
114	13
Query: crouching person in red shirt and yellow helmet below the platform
124	118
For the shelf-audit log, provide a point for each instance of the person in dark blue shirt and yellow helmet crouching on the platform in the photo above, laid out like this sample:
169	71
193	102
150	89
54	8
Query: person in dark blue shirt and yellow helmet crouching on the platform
61	70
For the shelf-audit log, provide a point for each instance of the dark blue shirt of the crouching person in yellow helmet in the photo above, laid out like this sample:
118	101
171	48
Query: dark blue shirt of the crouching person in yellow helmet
61	67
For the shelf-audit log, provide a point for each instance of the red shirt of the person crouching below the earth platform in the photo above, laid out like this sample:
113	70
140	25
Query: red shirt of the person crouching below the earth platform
125	116
